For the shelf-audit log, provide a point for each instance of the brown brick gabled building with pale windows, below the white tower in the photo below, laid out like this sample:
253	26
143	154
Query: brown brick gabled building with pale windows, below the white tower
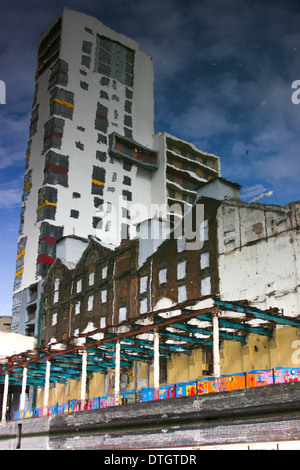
110	285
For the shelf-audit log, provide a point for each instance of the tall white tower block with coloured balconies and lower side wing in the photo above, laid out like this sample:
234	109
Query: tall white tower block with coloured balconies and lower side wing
92	157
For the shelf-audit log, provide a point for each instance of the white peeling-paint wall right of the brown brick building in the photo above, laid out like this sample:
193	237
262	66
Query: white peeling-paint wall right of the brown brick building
259	255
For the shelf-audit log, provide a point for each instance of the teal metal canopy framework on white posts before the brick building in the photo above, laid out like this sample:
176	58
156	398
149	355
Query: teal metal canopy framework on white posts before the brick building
181	329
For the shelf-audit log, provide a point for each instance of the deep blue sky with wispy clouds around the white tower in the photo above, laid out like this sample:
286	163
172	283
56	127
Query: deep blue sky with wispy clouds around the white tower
223	80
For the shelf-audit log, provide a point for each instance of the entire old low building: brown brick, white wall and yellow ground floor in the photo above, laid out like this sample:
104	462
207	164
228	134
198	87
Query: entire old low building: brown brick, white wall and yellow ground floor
239	259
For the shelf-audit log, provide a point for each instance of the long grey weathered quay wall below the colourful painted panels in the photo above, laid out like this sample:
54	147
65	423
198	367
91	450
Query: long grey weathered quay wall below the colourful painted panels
264	414
